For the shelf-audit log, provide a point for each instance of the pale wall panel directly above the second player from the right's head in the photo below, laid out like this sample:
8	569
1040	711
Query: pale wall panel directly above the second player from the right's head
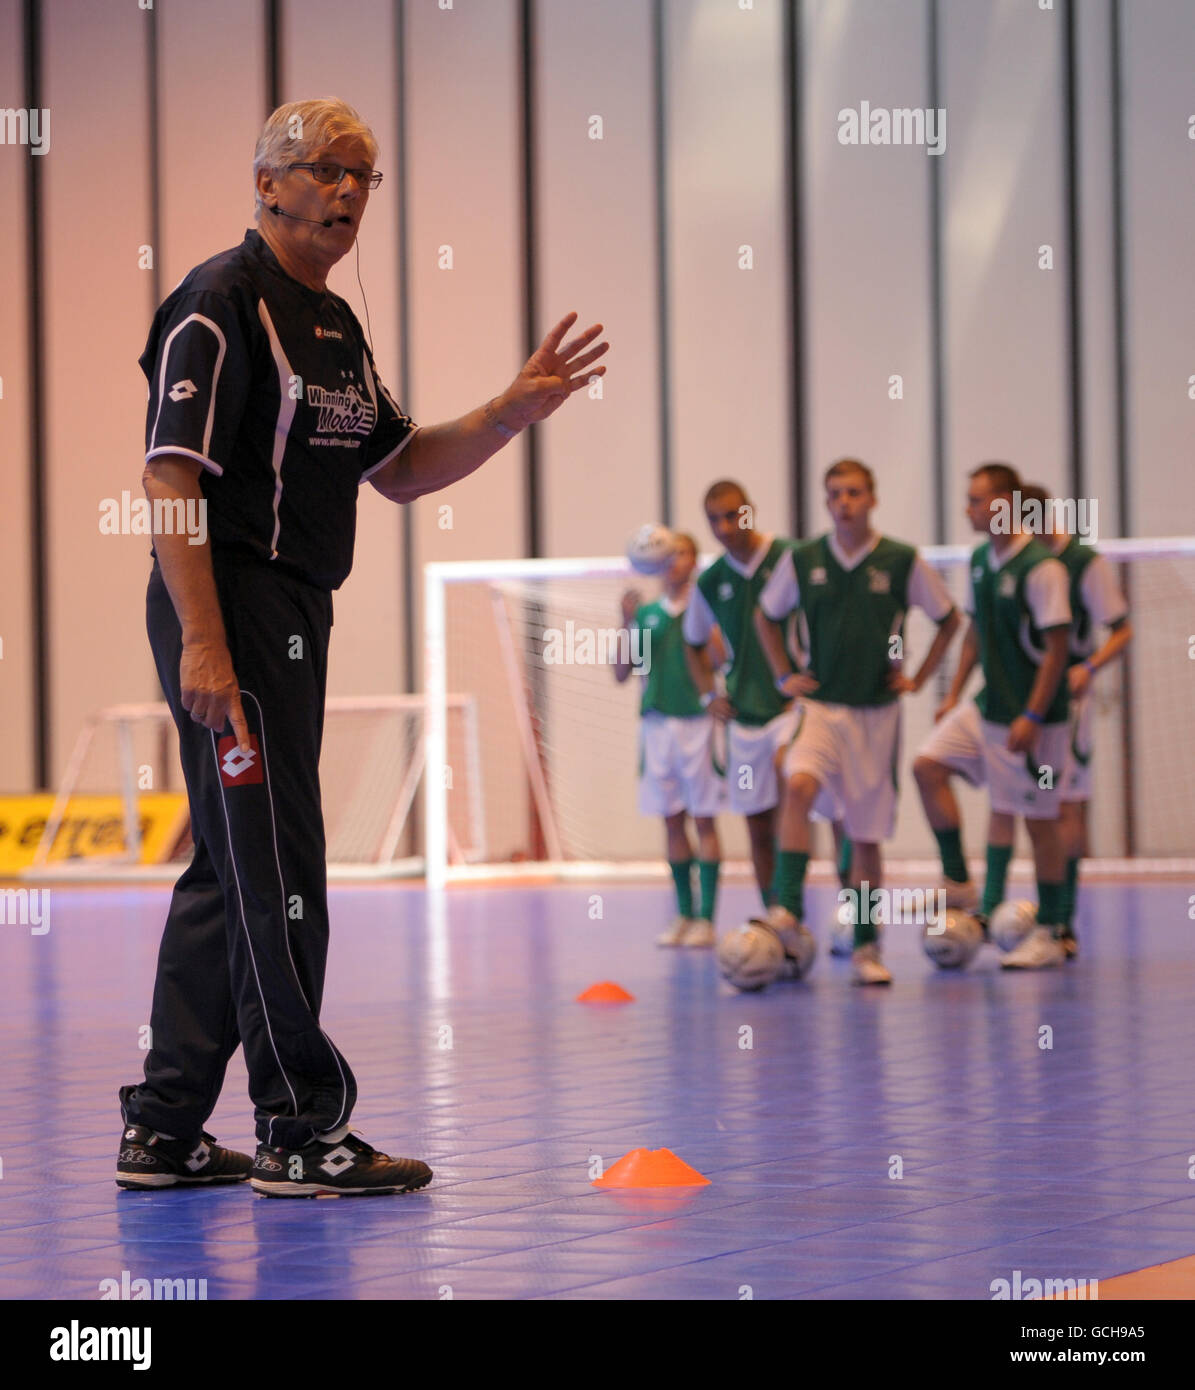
1004	198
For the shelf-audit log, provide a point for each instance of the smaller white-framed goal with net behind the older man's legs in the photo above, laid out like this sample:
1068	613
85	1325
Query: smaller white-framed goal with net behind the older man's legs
126	761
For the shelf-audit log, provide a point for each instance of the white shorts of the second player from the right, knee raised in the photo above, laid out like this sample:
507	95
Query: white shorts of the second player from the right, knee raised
979	751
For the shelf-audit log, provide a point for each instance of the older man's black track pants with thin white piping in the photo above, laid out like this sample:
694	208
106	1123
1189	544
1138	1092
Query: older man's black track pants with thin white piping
247	940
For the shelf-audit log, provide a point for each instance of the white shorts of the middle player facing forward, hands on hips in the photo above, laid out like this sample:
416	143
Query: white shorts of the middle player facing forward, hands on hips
854	754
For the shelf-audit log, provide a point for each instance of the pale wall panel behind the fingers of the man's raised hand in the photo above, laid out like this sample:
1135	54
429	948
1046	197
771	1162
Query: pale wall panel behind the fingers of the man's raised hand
601	459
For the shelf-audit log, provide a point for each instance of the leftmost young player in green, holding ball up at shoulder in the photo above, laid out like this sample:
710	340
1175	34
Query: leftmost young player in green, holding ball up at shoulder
677	772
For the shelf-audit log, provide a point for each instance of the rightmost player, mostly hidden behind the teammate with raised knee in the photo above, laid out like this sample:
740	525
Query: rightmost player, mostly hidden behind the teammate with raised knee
1097	601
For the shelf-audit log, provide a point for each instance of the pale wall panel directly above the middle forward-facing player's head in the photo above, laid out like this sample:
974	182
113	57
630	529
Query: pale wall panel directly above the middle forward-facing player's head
868	265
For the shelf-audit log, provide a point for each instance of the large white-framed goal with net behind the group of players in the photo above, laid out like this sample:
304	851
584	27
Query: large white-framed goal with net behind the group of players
534	641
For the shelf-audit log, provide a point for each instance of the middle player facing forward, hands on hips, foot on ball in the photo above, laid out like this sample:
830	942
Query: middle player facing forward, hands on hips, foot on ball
851	589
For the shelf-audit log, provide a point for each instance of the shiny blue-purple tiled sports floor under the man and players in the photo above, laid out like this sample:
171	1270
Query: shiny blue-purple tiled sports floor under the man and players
1071	1161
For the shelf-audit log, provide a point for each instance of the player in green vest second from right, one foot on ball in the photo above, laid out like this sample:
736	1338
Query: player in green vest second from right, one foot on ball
1014	736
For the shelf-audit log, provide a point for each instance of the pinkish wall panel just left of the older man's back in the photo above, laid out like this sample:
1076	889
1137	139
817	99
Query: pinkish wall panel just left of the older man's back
98	311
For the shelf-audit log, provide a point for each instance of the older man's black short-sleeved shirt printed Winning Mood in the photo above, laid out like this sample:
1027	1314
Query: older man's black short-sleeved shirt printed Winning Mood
273	389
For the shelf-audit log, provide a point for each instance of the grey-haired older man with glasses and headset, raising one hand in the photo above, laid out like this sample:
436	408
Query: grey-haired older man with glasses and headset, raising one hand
265	402
